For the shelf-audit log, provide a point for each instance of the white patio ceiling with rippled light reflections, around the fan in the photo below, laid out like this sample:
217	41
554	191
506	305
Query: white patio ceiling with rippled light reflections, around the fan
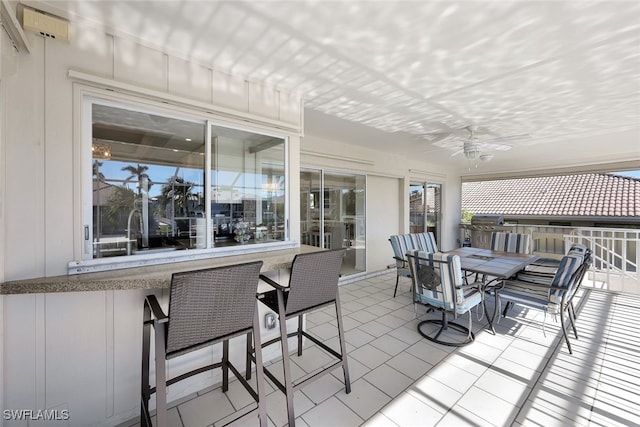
413	74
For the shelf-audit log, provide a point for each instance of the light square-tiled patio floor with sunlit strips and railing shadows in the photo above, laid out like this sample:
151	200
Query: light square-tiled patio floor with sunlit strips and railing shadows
516	377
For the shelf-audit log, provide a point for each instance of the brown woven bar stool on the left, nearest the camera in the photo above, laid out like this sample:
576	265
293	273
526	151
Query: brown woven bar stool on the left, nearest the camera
205	307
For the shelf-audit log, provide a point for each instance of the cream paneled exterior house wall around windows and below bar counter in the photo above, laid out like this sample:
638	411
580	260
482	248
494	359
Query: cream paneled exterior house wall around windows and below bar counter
81	351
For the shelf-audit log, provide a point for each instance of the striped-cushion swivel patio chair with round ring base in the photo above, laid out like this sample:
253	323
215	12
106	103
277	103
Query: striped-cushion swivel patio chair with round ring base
438	283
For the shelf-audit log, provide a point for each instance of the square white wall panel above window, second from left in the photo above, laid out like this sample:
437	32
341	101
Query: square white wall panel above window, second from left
138	64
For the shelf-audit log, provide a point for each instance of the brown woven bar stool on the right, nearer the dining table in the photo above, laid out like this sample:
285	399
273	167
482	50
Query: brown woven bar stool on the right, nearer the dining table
313	285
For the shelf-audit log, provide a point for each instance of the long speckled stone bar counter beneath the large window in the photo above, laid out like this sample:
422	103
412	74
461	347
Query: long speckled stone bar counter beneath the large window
148	277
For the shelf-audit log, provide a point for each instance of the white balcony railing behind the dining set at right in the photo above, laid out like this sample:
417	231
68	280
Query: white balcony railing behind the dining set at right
616	255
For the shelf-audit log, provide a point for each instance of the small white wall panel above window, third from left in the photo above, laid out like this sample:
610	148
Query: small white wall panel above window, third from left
190	80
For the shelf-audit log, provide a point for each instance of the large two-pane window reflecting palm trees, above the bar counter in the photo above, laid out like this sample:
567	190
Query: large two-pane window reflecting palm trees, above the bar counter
162	183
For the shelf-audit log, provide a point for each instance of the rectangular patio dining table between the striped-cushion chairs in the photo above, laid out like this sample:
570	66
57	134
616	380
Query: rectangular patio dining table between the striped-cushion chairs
496	265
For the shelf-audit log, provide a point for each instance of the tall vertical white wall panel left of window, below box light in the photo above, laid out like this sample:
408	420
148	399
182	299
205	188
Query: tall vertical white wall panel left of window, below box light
24	172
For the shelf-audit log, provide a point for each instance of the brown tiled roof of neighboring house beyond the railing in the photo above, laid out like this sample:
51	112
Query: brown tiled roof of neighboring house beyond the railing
586	195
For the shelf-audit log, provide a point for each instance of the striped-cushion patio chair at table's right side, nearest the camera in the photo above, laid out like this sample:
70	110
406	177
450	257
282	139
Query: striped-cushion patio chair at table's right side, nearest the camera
555	298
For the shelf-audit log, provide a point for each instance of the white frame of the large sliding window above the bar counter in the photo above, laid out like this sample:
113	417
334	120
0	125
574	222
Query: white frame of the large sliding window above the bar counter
83	186
